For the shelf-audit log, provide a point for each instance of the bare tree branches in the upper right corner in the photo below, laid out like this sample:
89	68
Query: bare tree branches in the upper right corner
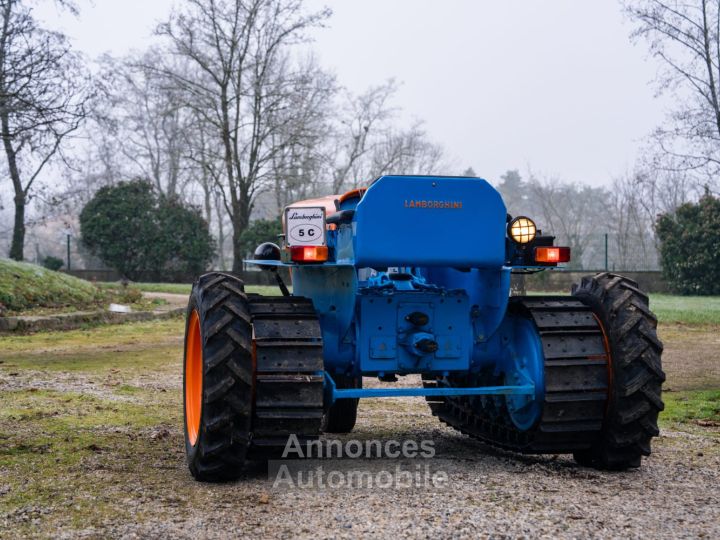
685	36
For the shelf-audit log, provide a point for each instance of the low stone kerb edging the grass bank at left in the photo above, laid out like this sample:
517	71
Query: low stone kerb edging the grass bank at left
73	321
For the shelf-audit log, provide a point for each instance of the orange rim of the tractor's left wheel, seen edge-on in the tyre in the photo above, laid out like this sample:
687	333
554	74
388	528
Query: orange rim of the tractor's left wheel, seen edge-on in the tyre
193	378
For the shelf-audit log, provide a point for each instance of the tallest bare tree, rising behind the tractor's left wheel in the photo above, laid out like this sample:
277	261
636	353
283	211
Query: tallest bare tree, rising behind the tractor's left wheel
243	86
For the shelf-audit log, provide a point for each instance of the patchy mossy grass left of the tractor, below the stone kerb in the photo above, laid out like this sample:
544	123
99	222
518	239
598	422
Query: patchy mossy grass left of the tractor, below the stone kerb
86	417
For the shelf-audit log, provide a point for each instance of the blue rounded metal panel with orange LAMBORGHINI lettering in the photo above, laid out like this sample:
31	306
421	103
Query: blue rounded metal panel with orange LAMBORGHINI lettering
430	221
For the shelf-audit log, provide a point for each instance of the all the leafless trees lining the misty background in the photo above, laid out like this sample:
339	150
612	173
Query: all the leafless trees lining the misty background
230	116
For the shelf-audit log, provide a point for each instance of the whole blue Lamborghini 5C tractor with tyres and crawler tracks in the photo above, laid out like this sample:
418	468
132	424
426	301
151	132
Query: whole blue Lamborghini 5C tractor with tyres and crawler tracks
412	276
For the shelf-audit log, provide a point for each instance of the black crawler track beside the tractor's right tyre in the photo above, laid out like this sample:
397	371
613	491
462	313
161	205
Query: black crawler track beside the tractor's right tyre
576	382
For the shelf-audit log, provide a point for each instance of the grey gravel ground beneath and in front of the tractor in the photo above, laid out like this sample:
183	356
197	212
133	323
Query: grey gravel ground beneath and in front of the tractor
489	493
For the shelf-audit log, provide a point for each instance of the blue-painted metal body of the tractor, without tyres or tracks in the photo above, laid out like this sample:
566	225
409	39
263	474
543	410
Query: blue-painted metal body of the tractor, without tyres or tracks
447	237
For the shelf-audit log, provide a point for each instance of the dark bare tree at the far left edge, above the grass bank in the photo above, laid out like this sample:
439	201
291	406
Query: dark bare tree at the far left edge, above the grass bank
42	101
